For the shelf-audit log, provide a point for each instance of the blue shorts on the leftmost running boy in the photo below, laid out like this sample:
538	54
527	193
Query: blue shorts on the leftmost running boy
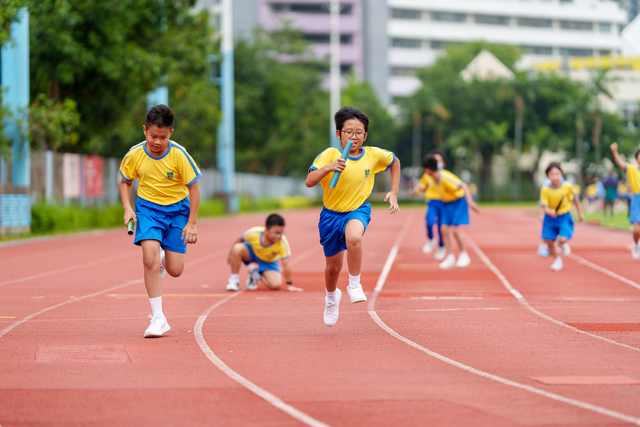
162	223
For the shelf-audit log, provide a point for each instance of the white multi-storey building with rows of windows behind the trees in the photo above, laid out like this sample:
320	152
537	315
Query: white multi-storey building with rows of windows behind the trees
418	30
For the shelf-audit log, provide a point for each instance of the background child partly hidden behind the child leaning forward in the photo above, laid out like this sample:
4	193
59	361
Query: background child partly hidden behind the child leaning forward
434	209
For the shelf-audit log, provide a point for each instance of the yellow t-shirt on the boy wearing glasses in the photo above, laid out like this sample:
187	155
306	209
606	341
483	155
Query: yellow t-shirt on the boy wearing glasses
356	181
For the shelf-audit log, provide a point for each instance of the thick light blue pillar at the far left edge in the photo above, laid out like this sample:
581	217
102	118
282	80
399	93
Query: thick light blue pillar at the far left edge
15	83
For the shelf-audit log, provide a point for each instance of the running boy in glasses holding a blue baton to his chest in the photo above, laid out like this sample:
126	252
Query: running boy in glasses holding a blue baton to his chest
346	215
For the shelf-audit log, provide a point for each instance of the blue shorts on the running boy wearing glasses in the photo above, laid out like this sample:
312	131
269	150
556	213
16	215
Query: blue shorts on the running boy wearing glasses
332	225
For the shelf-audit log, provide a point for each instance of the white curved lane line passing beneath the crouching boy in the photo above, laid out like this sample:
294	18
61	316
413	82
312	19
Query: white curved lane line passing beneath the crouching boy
255	389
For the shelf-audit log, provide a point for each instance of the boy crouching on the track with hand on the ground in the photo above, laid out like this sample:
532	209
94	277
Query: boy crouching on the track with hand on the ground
260	248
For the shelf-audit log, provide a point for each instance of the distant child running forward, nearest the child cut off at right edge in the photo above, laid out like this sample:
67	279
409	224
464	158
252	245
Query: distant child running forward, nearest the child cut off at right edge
556	199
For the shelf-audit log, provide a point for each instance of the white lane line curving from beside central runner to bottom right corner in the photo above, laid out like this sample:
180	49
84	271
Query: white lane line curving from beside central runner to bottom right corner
553	396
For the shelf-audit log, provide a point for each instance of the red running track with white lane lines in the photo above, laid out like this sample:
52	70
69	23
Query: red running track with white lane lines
502	342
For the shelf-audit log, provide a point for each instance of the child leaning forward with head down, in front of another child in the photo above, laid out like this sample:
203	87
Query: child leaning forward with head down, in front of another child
456	199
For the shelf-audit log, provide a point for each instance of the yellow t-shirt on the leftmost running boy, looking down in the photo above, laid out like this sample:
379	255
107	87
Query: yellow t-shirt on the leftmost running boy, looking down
161	180
